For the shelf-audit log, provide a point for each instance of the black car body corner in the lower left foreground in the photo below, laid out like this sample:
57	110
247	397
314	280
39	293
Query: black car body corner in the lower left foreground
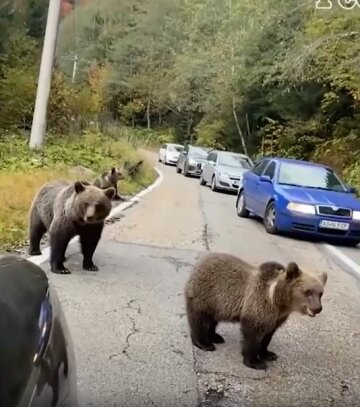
37	359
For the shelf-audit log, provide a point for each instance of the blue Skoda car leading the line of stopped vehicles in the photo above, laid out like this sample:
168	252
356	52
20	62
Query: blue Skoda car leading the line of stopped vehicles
295	196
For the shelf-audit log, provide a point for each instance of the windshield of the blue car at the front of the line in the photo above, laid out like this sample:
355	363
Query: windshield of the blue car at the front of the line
309	176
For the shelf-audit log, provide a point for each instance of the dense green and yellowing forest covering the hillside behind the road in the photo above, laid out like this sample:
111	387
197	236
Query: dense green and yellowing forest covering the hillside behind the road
276	77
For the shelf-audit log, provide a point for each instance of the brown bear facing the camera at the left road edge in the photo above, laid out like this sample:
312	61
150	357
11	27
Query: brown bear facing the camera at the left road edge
65	210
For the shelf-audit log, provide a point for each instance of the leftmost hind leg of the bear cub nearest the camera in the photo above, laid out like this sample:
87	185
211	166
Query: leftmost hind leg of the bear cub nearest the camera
200	324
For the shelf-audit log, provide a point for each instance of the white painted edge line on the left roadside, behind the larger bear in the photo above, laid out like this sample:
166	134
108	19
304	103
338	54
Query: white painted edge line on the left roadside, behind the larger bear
115	212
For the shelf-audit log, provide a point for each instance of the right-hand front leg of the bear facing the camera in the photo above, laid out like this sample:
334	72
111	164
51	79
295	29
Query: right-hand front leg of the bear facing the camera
89	239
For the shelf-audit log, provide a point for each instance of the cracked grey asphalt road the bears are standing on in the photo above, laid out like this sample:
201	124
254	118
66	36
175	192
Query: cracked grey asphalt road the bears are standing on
130	330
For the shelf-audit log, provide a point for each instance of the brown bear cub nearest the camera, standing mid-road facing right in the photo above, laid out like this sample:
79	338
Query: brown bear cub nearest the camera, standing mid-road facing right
224	288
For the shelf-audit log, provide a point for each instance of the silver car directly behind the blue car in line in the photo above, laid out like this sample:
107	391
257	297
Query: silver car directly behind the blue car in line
224	170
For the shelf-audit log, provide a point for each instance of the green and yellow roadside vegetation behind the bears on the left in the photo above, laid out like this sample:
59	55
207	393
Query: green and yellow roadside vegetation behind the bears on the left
23	171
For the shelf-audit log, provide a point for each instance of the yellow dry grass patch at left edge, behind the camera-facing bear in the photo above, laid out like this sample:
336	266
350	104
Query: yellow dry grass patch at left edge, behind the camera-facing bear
17	190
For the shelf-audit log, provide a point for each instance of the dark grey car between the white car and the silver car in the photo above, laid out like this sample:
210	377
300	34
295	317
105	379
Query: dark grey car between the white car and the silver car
191	160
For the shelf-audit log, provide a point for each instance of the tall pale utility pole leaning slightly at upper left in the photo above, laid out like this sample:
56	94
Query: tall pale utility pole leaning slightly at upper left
38	128
